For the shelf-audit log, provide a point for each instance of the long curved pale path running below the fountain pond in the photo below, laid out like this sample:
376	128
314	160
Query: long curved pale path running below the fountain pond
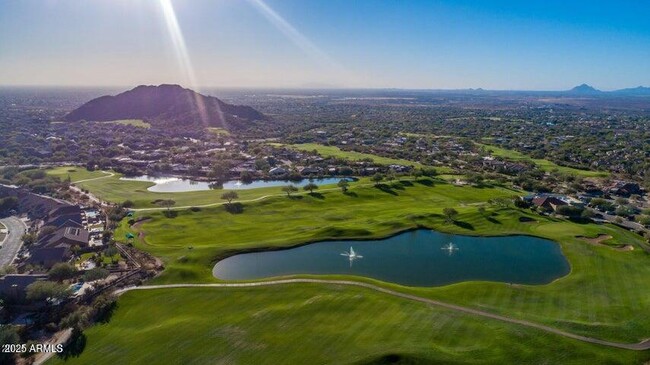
643	345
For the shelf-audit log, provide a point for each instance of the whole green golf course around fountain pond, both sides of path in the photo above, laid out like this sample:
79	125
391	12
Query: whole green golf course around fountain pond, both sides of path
605	295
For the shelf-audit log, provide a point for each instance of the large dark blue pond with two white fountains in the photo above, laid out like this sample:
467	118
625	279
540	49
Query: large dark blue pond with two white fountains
415	258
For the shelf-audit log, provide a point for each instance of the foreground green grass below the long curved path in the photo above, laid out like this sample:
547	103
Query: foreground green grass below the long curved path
316	324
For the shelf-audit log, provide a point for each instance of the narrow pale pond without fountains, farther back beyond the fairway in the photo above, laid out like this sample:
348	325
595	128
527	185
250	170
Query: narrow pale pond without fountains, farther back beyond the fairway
178	185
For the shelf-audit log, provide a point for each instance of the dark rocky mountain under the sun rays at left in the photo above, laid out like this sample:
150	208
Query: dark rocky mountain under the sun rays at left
166	106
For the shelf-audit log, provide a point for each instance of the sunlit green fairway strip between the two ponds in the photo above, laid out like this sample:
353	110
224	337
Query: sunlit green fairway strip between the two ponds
280	221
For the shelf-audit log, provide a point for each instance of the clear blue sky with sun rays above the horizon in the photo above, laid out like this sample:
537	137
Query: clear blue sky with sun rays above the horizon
492	44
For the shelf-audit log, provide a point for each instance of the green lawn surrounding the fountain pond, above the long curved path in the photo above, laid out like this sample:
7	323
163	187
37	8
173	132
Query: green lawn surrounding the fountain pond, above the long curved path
606	295
